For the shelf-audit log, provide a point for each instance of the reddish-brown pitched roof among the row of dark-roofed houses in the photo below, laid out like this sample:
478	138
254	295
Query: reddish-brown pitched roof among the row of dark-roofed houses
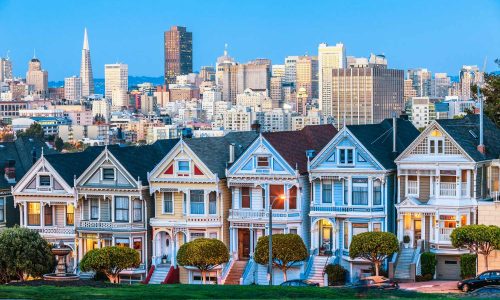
292	145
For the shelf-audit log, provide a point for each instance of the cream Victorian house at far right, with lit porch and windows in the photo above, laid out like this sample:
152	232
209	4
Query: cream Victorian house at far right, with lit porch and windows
442	176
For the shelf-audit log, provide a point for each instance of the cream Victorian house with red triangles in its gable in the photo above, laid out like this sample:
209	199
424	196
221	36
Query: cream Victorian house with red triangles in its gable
192	201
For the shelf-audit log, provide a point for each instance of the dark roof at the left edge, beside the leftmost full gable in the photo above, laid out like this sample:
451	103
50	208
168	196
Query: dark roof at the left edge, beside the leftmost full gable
21	151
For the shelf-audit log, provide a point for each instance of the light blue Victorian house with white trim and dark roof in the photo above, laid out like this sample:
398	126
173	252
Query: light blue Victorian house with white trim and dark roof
353	182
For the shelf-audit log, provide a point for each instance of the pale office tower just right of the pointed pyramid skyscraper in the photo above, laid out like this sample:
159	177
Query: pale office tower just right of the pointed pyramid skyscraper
116	83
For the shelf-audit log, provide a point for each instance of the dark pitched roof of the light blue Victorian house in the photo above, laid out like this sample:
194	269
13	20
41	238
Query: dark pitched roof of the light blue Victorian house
378	139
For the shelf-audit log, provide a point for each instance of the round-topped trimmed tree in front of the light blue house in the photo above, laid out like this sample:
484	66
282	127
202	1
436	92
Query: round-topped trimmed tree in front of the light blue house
374	247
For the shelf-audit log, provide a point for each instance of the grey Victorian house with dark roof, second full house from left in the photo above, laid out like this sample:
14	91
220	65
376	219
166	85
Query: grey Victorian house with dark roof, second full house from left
114	204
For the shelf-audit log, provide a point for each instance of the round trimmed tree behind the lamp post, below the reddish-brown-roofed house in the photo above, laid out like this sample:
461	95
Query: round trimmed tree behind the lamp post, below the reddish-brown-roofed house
288	249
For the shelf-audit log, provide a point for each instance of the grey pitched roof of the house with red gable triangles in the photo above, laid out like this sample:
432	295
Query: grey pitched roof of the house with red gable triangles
214	151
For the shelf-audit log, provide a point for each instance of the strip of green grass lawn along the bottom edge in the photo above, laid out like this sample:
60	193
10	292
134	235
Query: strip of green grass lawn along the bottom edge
150	292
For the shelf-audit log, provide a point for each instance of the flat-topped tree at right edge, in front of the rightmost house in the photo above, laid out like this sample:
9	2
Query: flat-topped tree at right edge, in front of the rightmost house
480	239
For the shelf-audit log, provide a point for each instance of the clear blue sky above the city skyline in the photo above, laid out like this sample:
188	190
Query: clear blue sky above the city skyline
439	35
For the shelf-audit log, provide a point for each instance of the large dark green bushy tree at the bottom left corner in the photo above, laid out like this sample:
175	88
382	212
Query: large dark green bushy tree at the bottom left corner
24	253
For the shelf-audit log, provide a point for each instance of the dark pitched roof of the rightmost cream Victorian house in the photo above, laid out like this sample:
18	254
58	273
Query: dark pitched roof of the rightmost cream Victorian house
465	132
